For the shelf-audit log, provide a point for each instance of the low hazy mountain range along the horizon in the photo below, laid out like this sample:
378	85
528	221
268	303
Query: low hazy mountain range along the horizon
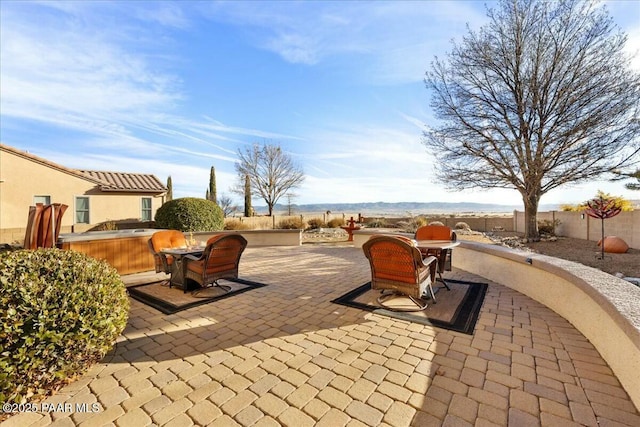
400	208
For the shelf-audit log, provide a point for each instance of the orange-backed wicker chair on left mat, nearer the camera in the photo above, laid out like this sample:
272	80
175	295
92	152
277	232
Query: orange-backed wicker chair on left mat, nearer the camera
220	260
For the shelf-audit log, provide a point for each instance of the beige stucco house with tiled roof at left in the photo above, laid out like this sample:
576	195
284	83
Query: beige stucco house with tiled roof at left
93	197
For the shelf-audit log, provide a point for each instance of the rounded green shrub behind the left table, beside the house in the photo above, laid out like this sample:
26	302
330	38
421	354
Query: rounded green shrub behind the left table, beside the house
190	214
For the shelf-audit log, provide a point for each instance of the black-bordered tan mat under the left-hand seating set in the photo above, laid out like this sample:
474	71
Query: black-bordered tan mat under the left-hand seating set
172	300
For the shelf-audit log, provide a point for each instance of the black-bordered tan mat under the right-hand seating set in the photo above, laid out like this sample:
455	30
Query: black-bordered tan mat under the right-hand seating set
456	310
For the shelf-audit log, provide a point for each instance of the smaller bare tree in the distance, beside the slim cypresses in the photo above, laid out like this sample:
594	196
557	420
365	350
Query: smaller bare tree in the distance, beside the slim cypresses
271	171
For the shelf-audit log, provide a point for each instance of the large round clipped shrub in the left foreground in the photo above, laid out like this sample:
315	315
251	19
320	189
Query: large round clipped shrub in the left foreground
60	312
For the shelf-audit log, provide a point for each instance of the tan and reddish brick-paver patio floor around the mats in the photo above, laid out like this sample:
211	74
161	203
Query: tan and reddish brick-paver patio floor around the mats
285	355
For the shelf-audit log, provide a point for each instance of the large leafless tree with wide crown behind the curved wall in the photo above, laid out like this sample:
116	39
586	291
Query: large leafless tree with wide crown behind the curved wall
541	97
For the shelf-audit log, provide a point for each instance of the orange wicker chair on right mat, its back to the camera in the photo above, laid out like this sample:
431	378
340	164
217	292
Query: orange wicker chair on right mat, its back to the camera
398	269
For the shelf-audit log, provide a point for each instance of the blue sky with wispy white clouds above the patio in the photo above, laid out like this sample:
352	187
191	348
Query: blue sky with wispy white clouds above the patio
173	88
